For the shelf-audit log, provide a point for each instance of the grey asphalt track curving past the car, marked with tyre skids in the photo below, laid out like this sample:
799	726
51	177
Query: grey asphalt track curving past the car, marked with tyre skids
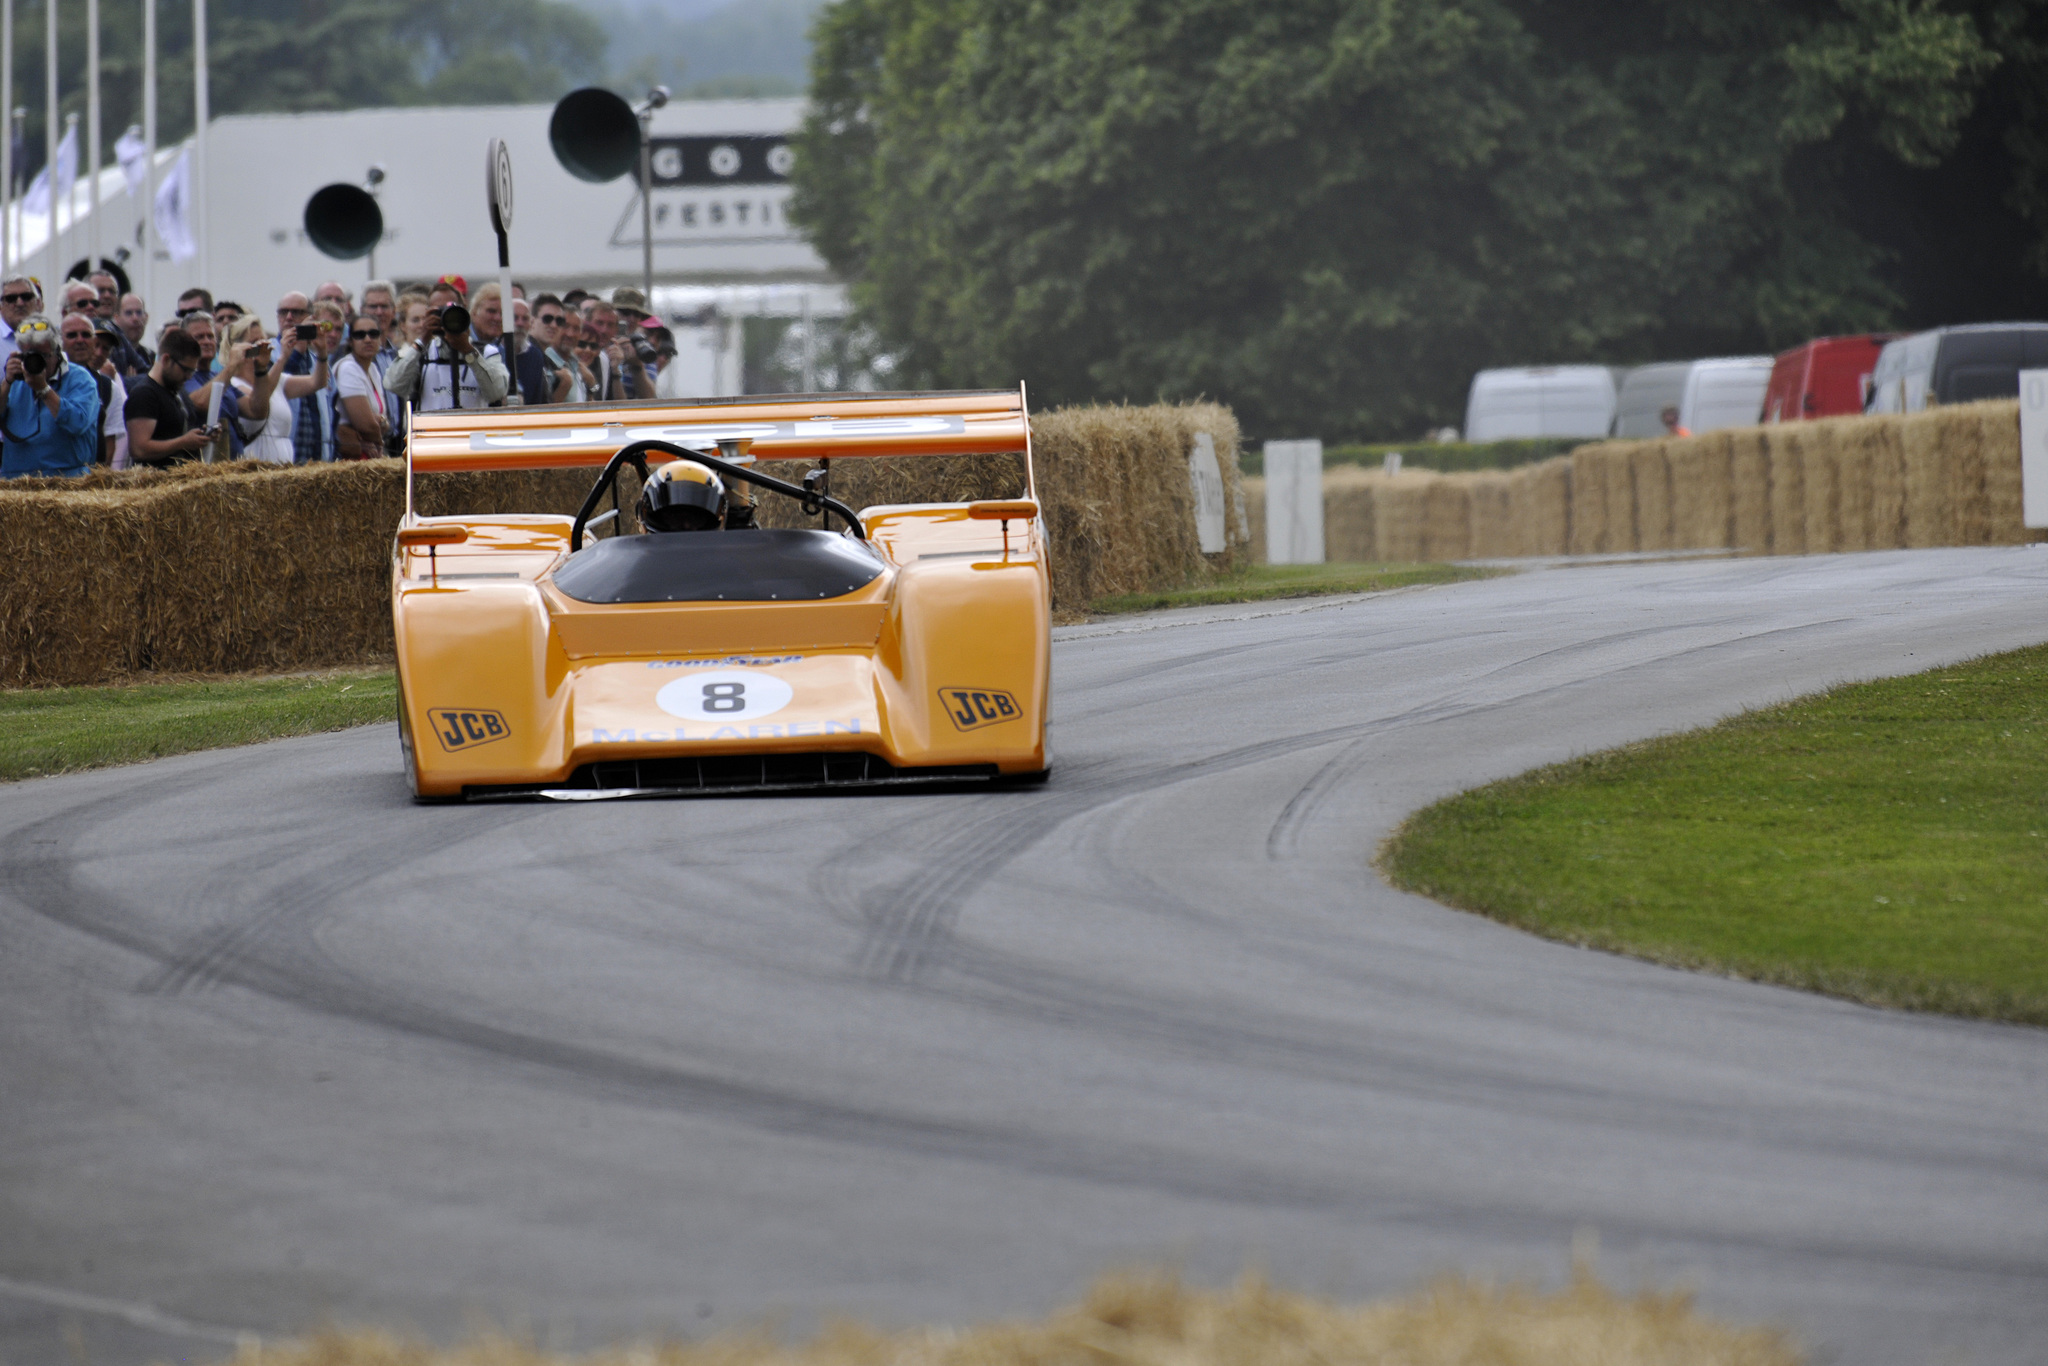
280	1048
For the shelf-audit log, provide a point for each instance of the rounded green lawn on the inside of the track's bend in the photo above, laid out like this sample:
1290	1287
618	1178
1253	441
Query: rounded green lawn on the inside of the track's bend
1885	843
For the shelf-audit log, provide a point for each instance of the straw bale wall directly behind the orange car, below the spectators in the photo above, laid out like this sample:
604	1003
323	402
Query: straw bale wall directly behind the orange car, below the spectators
234	568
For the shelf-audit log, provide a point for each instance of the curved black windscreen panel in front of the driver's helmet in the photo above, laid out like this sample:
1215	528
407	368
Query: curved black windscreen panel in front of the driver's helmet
720	566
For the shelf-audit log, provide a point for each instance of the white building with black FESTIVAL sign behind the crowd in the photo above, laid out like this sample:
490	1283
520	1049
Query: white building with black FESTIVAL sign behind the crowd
722	237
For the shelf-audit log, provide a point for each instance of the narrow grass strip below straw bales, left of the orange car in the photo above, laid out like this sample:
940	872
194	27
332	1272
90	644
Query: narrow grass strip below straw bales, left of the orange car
60	730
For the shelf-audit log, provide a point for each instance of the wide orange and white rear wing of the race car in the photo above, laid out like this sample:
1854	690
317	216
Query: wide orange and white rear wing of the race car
777	429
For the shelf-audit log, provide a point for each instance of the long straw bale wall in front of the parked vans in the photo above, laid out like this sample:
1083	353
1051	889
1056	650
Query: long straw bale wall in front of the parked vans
1949	476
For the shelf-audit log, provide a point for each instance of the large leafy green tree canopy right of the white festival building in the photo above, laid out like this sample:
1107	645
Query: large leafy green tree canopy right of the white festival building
1330	214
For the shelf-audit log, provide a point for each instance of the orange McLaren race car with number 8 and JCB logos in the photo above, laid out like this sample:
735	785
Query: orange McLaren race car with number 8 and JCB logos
708	654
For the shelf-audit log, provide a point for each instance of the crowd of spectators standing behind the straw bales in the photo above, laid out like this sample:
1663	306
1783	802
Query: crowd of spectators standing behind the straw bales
333	380
